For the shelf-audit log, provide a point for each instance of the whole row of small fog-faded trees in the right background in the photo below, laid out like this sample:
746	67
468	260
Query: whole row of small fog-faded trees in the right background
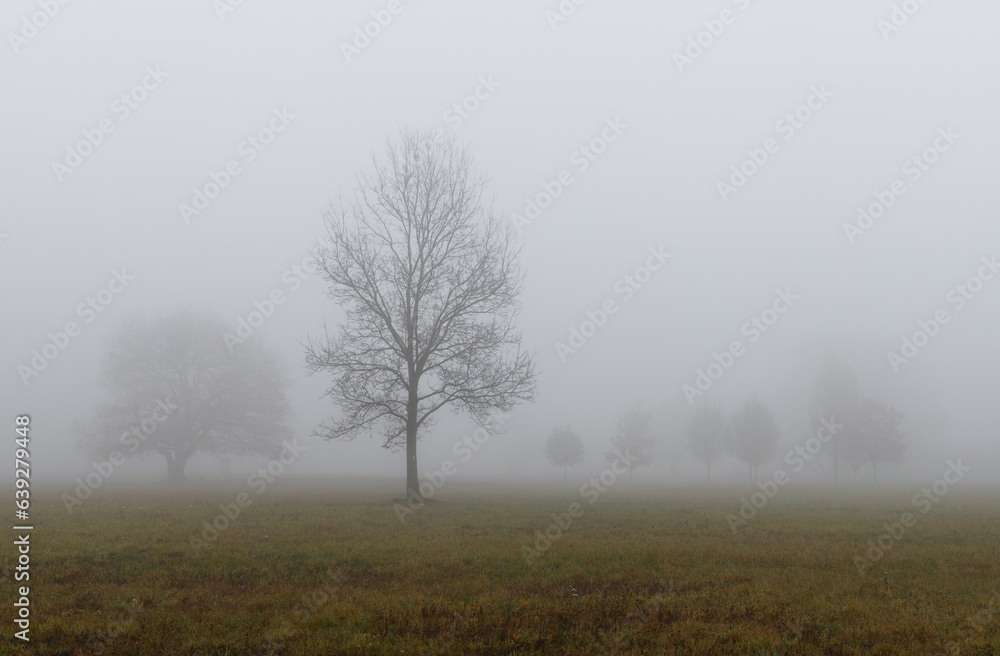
867	433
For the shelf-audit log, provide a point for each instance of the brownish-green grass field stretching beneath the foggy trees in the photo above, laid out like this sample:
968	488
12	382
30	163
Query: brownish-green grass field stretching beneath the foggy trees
328	568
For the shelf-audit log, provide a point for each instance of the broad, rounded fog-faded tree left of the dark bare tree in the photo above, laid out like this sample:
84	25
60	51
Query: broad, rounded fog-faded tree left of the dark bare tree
178	390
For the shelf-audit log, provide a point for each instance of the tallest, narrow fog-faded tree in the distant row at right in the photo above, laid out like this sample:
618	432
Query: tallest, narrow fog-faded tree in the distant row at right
835	397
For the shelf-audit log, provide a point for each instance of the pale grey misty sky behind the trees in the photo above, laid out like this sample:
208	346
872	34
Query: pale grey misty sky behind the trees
878	99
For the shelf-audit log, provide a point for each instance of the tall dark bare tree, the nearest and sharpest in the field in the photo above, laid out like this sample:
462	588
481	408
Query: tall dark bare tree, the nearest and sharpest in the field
429	280
